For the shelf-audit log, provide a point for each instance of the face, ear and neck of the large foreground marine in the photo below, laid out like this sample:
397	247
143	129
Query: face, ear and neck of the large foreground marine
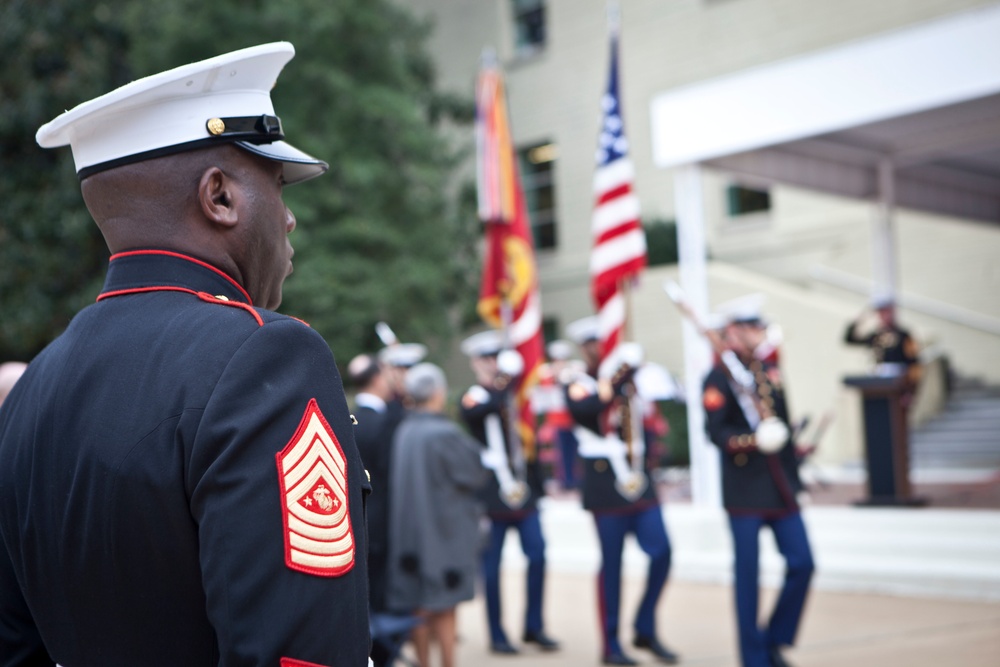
221	204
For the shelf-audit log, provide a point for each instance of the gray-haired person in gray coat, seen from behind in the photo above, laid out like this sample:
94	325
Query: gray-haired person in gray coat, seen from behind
434	515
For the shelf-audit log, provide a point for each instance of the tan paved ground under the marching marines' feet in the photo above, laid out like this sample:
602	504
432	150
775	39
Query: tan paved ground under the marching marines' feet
696	621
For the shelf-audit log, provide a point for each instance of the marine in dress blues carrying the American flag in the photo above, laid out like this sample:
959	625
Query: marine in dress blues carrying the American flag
591	403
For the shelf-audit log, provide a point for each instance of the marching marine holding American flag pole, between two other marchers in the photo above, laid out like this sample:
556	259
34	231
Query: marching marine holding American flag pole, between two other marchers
617	487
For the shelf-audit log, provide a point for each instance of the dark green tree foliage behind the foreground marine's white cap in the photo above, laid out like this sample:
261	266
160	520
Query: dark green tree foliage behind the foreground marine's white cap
378	237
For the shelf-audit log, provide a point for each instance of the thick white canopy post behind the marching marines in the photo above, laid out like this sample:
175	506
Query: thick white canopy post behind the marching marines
690	211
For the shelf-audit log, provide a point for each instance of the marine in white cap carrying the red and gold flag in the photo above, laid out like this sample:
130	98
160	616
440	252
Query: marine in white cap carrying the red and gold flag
483	402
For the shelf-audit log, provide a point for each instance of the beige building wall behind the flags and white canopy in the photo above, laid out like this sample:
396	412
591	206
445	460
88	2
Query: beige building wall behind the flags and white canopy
811	253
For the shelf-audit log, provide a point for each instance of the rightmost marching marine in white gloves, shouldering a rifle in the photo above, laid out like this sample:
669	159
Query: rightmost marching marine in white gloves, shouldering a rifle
747	419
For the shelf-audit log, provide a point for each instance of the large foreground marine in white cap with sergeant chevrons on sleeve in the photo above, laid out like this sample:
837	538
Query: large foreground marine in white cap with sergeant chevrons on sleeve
180	482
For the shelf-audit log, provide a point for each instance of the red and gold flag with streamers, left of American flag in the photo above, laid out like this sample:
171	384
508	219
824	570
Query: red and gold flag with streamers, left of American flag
508	296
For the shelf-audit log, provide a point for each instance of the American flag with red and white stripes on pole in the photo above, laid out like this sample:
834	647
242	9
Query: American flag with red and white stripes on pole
619	242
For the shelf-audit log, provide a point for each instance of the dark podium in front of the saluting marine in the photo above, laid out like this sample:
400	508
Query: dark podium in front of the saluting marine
887	447
